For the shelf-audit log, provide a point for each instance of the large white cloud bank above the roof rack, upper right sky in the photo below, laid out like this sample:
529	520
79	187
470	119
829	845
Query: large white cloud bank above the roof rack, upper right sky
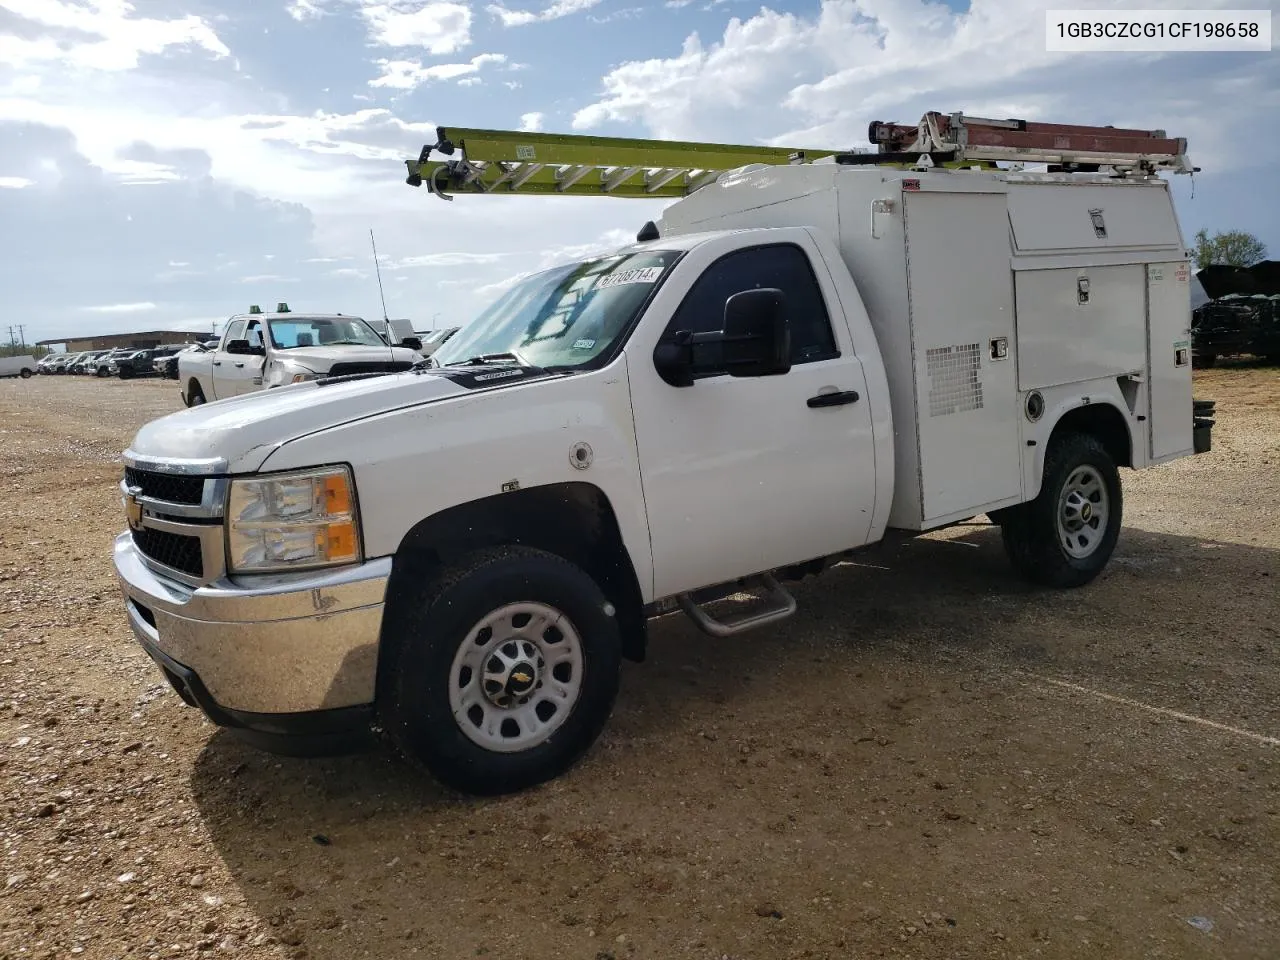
817	81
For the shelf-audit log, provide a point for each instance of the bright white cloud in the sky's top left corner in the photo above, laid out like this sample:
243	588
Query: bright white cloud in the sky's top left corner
102	35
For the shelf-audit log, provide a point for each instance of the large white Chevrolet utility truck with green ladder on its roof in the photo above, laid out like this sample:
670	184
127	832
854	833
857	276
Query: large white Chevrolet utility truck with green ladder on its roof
802	355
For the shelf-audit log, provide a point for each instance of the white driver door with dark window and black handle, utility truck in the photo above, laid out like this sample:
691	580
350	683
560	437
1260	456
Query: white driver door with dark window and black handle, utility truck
743	476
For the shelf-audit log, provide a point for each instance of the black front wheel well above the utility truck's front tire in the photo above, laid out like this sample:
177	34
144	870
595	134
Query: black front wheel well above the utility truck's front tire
573	520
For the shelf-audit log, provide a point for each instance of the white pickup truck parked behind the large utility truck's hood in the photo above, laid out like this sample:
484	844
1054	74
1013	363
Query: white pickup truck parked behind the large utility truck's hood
260	351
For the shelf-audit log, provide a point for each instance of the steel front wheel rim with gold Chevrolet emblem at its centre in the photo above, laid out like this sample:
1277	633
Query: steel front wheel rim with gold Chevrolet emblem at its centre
516	678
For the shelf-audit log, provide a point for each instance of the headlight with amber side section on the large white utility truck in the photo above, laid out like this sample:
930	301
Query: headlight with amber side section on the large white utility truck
292	522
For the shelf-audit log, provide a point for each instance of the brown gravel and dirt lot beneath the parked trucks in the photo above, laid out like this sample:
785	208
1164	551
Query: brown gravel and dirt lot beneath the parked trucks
929	761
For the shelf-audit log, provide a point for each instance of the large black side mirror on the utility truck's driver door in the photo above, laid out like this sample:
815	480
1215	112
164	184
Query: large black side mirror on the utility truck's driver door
756	341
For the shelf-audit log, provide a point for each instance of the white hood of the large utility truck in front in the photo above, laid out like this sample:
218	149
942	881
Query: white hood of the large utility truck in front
245	431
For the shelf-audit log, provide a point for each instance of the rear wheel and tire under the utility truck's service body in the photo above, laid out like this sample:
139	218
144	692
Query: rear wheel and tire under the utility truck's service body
1066	537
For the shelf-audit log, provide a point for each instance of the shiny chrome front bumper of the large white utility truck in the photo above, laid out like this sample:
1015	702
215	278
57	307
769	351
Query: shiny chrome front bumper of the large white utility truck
292	644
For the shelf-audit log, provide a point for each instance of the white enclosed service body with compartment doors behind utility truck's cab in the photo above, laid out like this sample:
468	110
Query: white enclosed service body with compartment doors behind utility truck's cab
956	280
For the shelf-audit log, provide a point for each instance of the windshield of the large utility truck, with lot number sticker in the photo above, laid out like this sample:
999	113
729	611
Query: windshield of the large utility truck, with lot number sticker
564	318
